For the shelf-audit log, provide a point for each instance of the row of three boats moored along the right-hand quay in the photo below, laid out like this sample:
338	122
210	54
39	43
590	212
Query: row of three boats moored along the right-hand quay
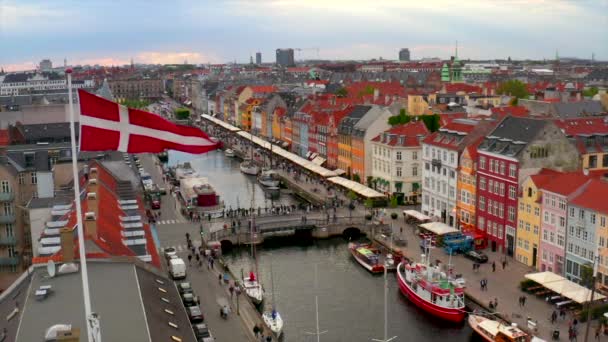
438	292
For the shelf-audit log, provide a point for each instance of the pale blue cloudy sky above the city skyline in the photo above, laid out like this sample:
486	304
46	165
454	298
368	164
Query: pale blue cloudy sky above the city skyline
216	31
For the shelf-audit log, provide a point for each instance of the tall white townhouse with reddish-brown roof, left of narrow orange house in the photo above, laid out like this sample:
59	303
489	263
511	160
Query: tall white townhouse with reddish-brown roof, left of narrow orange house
441	158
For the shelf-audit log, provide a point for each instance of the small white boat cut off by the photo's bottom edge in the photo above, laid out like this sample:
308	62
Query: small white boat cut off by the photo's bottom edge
493	330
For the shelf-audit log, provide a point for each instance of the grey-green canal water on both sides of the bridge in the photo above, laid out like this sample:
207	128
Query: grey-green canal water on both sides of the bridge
351	300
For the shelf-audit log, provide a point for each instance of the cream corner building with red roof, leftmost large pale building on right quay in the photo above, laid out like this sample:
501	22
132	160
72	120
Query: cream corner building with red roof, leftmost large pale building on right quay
396	160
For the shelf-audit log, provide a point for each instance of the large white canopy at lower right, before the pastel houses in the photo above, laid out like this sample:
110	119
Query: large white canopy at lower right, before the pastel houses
564	287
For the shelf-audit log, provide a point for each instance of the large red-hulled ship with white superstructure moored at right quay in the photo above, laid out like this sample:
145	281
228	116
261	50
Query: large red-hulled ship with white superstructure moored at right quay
431	290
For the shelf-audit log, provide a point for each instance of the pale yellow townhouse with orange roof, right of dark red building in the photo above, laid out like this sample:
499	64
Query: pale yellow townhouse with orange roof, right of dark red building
529	216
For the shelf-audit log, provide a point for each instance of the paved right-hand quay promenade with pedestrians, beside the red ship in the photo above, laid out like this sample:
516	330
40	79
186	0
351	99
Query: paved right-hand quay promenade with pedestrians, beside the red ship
503	285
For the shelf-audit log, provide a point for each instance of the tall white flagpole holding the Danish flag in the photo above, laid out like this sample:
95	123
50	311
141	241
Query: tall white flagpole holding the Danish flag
89	319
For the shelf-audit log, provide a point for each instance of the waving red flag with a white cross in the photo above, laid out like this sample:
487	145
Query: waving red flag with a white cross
108	126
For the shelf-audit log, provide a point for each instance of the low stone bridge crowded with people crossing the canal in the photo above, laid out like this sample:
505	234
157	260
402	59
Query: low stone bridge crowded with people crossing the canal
287	225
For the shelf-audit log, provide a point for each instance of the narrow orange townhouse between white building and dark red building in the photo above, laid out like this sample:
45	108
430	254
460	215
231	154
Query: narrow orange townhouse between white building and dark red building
465	187
